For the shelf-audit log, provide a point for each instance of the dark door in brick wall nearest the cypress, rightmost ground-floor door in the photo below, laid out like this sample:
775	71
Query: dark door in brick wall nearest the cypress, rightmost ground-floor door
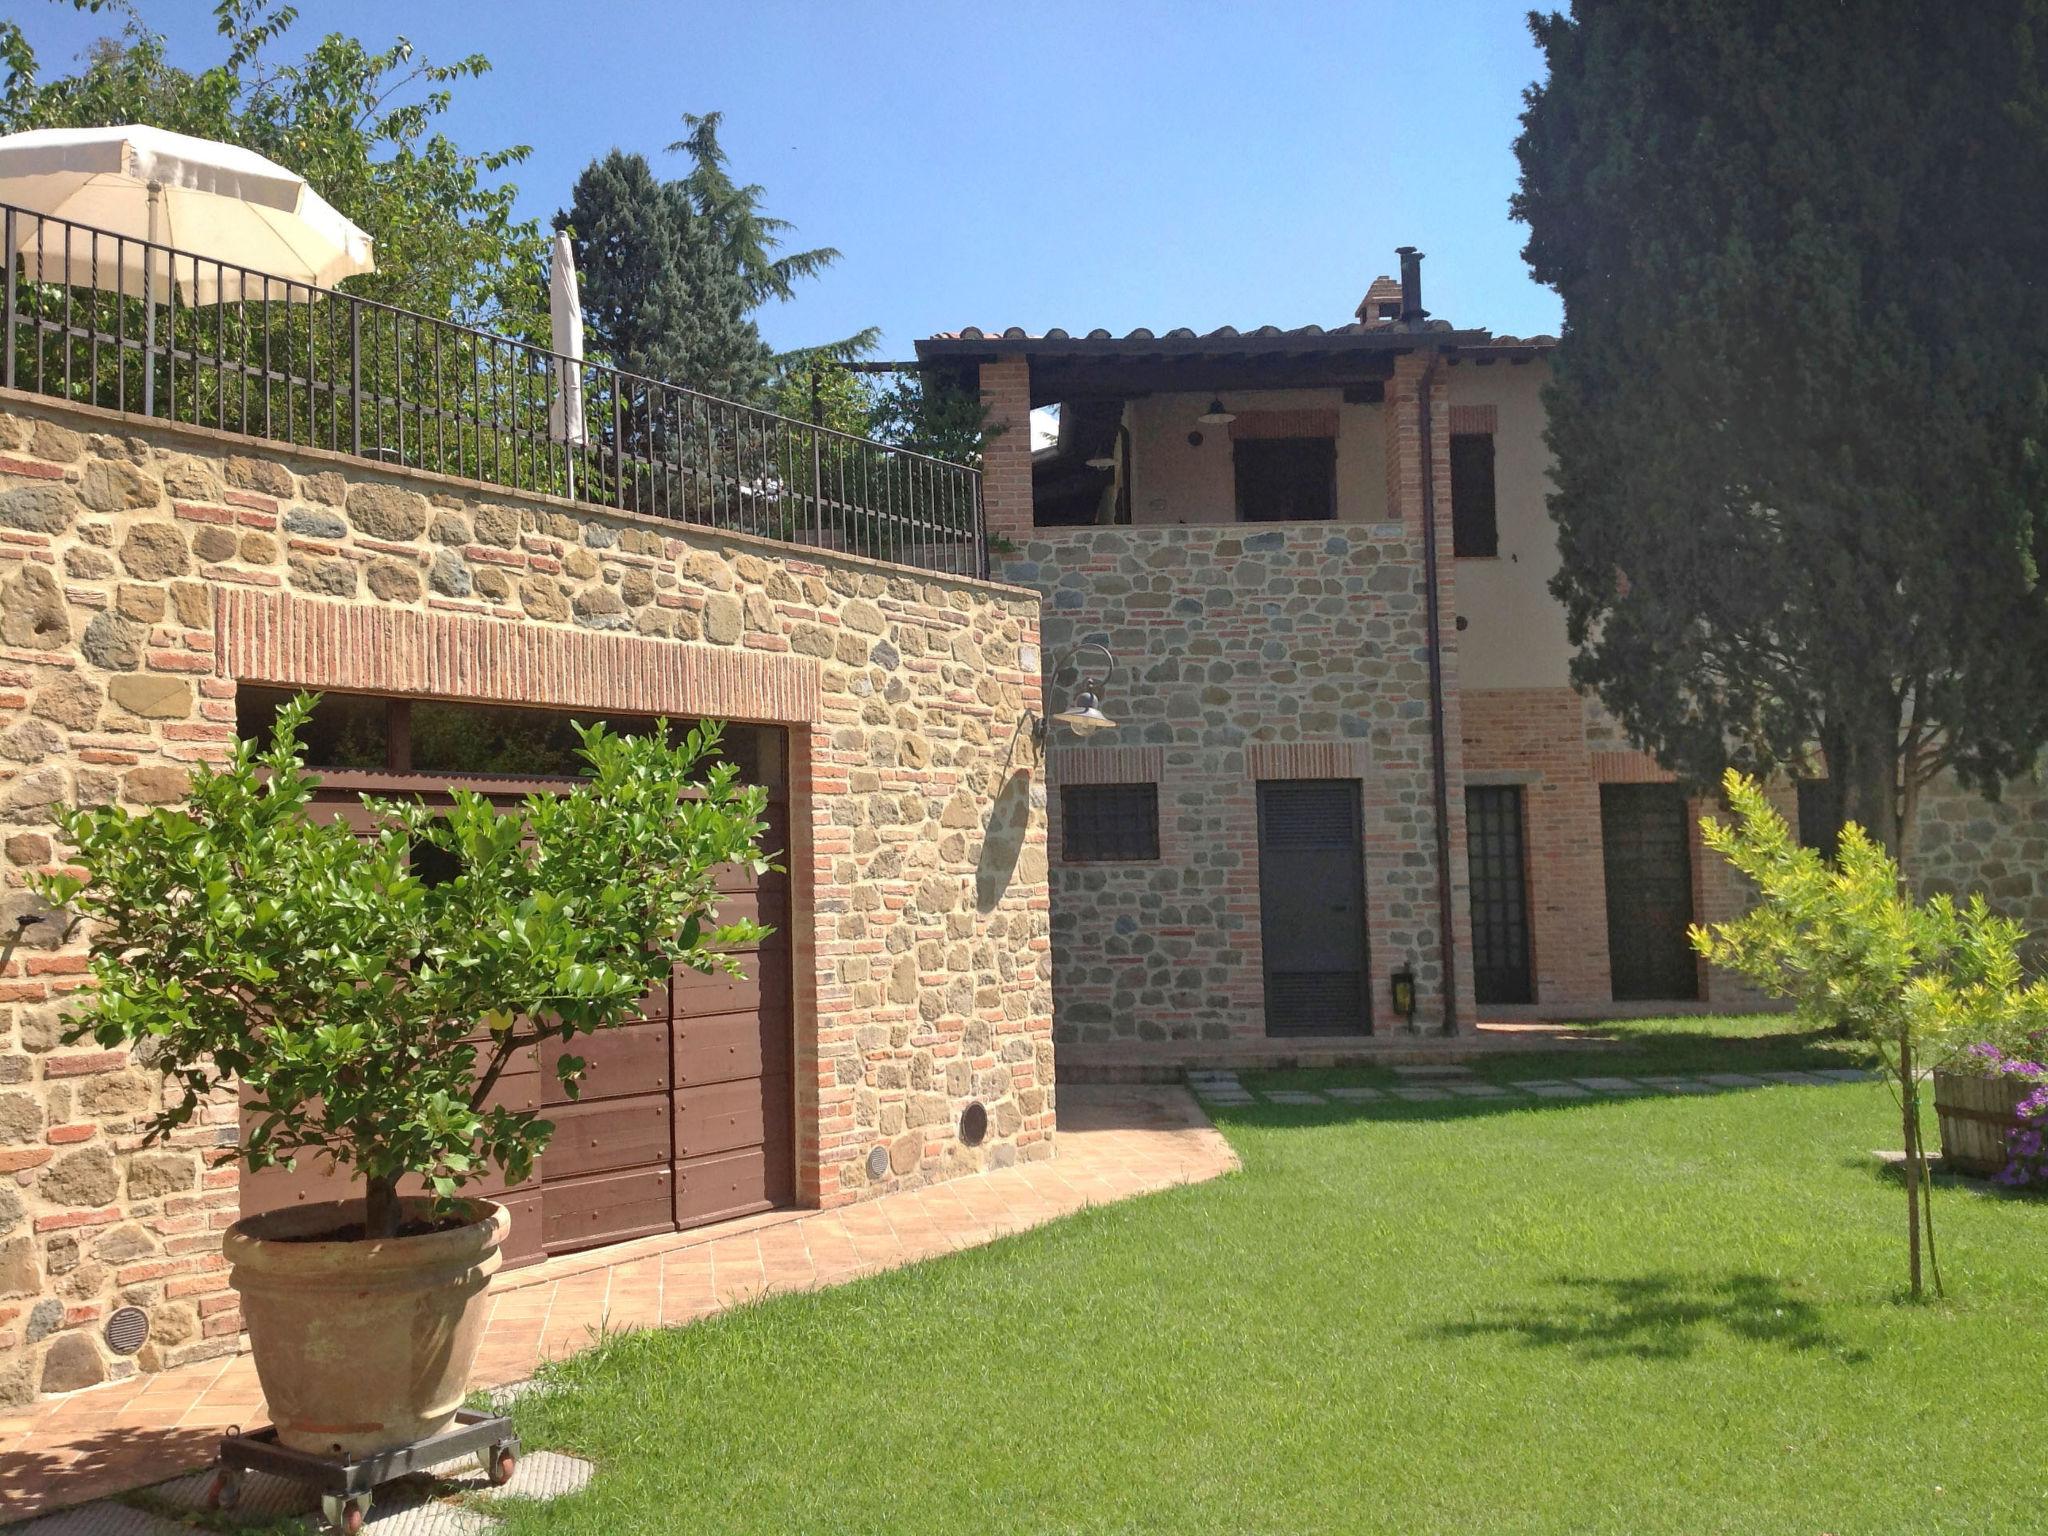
1648	851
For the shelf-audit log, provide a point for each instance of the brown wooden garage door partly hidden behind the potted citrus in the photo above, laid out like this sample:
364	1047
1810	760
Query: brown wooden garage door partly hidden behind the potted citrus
683	1117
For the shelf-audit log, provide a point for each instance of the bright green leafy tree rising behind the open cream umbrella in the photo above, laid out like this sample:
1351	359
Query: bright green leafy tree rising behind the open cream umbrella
361	124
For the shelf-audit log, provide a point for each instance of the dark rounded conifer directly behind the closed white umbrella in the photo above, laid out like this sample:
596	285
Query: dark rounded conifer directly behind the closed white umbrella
660	292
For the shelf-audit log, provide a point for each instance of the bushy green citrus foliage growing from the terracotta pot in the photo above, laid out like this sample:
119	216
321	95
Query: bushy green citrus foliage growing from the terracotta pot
366	1011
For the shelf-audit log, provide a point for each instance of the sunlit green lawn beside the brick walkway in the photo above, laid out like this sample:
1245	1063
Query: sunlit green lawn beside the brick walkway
1652	1316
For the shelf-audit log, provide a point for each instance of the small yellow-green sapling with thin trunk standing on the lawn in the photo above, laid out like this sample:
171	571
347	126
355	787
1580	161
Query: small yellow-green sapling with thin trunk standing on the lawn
1852	953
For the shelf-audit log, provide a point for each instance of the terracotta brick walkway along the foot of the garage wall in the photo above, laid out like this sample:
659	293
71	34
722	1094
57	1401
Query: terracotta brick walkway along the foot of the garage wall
1113	1144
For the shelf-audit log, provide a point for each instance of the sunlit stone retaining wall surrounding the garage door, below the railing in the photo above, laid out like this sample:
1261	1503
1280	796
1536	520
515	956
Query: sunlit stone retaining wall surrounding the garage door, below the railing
146	570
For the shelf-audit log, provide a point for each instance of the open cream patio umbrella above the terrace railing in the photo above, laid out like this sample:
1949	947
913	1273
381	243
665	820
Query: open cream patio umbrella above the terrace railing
204	200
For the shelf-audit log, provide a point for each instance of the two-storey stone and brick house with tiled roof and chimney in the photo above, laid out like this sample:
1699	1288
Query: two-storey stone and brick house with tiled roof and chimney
1244	519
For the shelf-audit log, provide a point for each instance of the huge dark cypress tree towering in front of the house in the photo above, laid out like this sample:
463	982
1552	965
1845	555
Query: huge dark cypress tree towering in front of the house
1799	409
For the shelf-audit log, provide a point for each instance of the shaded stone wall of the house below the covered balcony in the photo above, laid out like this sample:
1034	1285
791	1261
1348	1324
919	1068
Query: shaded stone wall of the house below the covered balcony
1244	652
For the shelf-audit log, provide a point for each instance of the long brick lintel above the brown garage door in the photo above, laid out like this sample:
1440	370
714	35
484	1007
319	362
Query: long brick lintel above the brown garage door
298	642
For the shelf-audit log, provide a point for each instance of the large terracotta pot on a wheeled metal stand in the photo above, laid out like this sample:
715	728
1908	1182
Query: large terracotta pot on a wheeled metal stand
364	1347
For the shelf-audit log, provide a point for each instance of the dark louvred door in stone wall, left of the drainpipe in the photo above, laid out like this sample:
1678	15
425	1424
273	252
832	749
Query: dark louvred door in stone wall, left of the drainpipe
1314	908
